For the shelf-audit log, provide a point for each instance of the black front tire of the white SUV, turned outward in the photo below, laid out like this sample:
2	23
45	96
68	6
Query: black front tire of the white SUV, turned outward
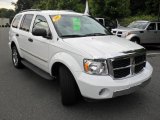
69	88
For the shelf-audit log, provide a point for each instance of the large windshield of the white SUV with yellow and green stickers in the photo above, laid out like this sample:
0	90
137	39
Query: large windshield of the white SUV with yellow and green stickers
78	26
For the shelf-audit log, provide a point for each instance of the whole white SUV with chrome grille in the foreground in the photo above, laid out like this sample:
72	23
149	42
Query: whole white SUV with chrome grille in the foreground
88	60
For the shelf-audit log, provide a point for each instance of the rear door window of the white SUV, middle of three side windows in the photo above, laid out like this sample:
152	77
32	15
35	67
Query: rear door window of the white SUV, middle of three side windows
26	22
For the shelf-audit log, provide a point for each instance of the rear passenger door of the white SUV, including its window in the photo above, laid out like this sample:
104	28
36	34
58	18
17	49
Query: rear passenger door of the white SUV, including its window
24	34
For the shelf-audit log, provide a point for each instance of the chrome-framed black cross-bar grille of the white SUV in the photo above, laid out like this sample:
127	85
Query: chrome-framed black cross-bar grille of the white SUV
127	65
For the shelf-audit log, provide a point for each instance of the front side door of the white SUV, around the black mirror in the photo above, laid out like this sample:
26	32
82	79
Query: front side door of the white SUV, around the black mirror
39	47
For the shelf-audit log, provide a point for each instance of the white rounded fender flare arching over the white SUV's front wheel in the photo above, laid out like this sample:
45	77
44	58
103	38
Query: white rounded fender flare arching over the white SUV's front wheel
66	59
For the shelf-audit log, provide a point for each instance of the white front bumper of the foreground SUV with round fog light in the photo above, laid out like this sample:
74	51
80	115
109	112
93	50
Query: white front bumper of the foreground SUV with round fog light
104	87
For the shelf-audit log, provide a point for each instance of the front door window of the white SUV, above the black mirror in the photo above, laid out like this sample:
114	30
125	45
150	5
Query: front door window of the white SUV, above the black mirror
41	23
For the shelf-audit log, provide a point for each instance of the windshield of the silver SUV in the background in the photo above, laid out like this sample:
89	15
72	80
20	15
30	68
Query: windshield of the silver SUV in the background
139	25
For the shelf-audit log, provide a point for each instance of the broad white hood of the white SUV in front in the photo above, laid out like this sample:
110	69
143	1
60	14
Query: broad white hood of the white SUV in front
102	46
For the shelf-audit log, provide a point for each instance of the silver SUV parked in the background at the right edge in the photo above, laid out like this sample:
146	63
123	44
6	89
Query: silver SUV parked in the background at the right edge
142	32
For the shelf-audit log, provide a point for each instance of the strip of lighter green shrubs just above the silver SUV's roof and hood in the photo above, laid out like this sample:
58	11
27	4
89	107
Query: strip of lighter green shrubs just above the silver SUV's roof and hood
126	21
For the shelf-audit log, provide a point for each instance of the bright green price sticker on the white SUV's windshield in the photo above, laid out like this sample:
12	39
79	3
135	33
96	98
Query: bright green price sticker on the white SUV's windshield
76	24
